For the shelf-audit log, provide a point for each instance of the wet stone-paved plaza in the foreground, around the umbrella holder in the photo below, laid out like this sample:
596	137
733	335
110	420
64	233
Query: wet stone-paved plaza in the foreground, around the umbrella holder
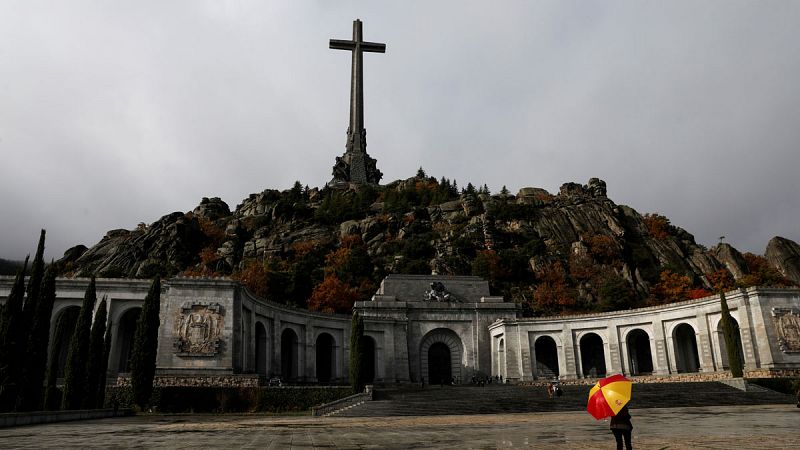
718	427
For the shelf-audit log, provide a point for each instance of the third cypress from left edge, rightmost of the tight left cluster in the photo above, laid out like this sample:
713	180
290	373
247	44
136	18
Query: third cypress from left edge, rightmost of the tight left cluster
31	394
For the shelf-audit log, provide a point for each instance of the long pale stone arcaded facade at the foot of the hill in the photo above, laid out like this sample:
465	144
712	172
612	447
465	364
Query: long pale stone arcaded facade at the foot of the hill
433	328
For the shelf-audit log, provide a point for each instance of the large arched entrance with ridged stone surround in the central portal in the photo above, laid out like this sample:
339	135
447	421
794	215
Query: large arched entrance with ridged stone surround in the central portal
444	349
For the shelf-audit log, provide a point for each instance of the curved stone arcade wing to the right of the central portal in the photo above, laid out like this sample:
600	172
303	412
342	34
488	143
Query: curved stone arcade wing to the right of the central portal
671	339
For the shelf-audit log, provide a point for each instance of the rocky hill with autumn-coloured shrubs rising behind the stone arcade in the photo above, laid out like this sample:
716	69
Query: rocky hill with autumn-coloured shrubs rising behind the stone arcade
572	251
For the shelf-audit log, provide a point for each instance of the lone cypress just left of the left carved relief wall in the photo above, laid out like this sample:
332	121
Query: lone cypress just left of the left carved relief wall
145	346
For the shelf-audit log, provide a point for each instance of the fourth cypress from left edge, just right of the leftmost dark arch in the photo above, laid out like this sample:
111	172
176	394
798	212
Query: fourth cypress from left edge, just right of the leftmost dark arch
75	374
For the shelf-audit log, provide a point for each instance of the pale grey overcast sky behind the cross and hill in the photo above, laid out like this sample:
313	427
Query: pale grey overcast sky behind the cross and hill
115	113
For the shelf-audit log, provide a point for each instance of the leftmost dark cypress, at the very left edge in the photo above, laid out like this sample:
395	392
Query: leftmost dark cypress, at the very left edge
11	339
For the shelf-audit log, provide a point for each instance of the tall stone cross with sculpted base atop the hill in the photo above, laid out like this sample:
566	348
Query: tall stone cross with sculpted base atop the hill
356	134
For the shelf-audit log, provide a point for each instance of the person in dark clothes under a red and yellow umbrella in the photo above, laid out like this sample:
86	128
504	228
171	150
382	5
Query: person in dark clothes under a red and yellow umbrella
609	398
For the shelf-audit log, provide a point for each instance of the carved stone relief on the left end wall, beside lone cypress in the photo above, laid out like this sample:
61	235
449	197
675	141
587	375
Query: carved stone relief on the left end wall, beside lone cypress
198	329
